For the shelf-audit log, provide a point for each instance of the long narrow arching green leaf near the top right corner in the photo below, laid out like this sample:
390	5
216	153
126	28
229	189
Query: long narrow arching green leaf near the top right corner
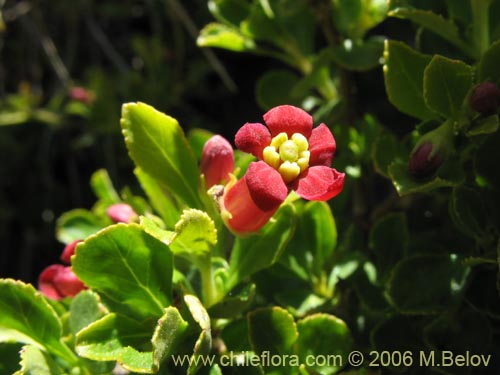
435	23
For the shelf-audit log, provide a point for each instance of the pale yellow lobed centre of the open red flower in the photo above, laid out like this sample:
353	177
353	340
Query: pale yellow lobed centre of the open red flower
289	157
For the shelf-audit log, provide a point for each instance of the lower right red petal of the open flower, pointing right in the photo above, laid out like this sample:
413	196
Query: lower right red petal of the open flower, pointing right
320	183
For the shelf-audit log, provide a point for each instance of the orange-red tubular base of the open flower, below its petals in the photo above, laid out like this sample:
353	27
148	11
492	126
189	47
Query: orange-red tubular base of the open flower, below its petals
239	211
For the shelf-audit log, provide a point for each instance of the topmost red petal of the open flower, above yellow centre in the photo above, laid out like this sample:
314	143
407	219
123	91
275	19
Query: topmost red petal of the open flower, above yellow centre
288	119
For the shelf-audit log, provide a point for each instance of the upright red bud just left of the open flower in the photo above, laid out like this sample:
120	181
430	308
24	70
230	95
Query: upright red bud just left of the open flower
217	161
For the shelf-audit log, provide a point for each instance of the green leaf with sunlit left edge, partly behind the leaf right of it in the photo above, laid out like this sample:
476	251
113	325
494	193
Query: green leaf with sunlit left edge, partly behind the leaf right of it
404	75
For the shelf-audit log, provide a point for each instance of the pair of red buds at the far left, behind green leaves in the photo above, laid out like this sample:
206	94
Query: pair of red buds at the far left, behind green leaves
58	281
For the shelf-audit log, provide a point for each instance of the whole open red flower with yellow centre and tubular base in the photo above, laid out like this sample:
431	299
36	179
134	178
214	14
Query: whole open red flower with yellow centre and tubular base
292	156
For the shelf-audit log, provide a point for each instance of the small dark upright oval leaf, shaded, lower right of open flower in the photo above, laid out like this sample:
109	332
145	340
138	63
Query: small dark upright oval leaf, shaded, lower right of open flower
389	239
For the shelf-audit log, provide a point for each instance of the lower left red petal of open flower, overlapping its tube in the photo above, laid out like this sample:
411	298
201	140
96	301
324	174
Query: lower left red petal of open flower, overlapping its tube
266	186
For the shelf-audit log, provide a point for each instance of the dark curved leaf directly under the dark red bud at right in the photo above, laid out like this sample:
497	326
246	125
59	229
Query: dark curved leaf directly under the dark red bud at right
449	174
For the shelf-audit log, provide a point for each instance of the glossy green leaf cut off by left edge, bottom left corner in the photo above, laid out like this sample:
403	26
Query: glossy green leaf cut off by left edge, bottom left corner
19	304
